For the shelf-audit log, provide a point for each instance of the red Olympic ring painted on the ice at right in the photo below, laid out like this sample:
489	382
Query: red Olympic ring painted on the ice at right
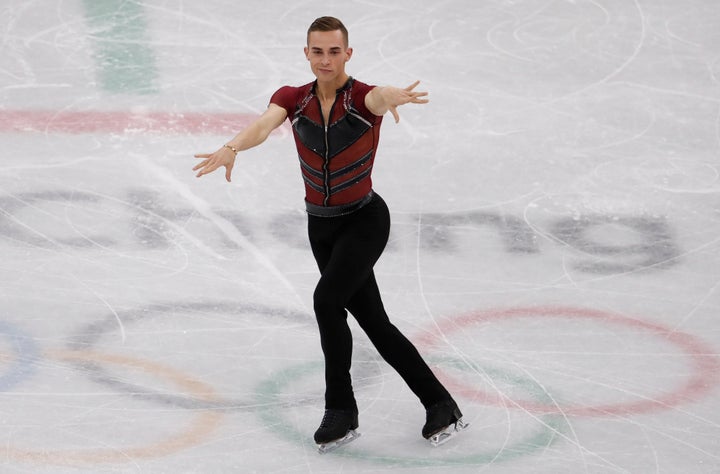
704	361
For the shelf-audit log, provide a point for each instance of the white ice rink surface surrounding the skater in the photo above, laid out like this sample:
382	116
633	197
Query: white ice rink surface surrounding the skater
555	250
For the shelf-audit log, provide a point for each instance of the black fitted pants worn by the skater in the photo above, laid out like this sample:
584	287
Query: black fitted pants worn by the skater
346	249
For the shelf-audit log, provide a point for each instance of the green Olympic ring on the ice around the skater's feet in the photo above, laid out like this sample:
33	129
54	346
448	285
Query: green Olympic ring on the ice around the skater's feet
551	424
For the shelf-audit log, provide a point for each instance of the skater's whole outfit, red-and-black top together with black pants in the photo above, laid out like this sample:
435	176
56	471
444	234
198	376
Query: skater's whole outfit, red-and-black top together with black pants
348	227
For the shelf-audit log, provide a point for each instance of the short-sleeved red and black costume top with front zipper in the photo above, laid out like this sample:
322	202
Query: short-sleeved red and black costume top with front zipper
336	158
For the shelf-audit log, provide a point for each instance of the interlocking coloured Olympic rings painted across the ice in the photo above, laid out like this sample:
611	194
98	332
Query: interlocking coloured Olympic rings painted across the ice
270	405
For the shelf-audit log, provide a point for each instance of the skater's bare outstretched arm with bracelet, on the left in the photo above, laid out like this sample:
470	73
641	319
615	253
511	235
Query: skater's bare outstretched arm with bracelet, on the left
256	133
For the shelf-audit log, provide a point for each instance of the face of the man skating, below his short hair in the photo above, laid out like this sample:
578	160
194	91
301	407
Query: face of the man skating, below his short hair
327	54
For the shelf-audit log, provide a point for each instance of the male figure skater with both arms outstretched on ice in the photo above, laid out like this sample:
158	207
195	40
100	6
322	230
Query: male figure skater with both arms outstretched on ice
336	123
